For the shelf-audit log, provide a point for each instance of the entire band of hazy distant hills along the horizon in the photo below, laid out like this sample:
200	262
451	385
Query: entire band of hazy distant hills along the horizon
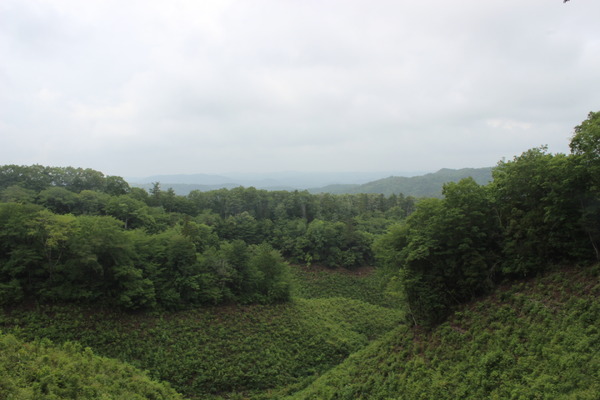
411	184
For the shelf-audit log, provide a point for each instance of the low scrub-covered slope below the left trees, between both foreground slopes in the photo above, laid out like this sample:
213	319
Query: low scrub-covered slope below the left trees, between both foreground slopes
212	351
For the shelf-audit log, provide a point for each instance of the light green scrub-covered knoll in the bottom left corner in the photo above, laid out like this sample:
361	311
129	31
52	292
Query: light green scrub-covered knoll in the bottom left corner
40	370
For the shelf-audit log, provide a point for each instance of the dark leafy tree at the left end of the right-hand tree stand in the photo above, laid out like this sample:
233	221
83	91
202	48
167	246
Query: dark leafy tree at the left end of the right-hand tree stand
445	252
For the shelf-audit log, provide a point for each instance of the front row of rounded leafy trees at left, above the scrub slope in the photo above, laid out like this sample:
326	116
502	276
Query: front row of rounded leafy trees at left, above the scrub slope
64	258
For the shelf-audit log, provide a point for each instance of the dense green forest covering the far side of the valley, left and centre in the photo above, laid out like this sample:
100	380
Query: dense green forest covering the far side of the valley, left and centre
71	234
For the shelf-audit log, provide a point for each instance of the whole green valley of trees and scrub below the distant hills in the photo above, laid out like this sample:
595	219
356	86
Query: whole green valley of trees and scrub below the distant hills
490	291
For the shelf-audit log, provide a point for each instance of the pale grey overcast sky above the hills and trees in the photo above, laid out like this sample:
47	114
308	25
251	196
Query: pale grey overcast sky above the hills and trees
137	88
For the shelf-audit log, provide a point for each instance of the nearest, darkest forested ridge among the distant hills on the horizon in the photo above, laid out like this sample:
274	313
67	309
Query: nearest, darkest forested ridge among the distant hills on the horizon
429	185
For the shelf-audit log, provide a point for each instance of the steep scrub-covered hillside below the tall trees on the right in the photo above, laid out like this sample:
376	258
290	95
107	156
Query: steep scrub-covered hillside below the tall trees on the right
535	340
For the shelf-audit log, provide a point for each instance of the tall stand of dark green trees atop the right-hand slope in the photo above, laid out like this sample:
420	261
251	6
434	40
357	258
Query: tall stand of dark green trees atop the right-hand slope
541	209
